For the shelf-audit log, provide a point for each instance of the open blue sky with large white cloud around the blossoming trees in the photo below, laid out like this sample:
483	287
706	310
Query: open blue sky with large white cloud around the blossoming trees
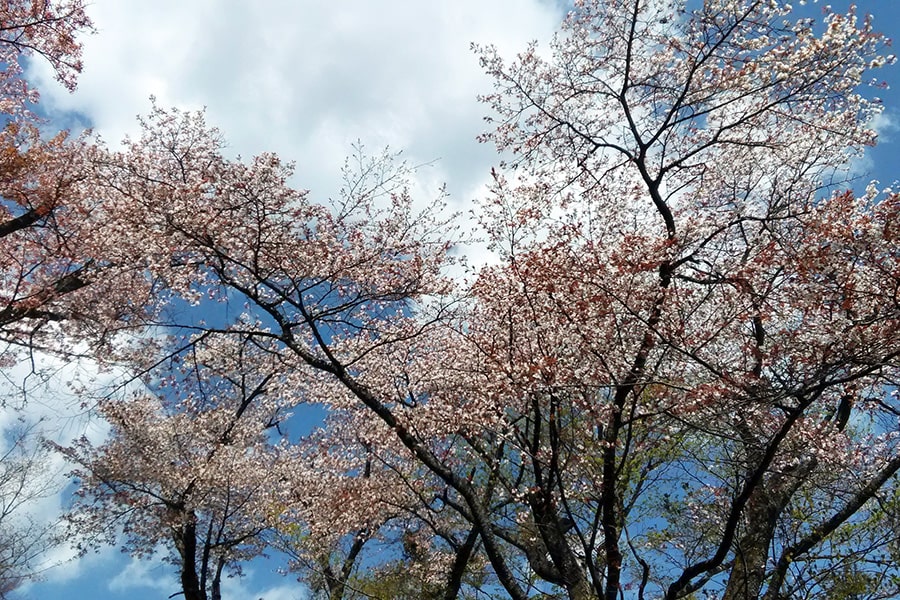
307	79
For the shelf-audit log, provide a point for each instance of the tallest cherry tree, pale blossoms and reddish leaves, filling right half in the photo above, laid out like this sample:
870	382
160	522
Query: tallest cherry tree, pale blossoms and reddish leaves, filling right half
661	234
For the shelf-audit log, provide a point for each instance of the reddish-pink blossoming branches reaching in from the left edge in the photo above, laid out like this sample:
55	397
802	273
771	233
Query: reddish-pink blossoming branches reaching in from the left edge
61	284
